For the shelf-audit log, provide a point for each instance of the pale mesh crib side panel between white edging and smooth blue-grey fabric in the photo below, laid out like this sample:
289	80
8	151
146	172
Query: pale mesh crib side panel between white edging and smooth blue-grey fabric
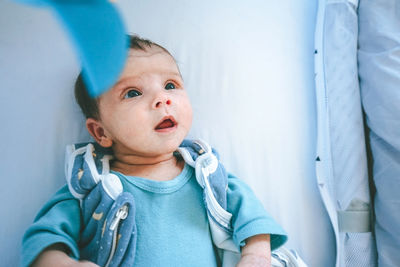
346	128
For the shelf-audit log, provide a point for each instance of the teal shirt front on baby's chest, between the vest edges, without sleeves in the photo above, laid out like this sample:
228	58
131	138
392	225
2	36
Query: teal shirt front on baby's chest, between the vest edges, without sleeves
171	220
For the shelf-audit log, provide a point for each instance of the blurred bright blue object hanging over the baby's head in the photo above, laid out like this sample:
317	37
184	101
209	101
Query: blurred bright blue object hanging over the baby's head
98	34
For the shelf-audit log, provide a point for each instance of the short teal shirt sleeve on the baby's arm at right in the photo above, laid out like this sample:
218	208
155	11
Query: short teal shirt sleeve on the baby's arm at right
249	217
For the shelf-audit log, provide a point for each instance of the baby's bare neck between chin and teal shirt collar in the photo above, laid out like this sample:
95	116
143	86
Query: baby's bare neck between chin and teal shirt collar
162	169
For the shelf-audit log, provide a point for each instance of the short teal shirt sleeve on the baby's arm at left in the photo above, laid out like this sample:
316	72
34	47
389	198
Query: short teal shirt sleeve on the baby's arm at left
59	221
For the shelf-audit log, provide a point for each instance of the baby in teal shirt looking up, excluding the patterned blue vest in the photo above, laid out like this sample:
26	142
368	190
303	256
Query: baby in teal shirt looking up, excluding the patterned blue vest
143	119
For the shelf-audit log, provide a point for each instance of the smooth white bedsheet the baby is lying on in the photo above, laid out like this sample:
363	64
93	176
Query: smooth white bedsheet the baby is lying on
248	67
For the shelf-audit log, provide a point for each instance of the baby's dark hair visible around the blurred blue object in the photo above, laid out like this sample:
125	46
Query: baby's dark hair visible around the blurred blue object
89	105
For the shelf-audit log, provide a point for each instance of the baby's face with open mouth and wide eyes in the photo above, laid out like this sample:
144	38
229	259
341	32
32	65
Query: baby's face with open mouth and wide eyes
147	112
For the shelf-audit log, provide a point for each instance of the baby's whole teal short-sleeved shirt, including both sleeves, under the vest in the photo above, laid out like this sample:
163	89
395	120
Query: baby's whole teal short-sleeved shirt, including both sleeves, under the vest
171	219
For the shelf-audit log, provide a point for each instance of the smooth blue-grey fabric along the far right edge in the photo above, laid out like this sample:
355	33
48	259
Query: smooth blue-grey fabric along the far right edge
379	70
